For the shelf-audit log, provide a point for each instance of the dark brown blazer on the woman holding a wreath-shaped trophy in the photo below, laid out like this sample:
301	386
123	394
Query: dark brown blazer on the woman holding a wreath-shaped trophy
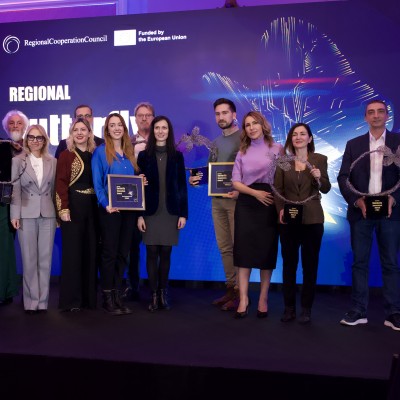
287	184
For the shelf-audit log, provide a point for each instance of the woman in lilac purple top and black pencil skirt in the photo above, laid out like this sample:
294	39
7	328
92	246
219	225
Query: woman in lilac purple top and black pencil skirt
256	232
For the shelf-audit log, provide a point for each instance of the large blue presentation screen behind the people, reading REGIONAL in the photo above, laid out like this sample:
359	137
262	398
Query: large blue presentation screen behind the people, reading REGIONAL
317	63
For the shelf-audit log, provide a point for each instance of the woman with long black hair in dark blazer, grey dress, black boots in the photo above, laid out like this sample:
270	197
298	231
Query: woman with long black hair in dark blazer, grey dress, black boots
166	206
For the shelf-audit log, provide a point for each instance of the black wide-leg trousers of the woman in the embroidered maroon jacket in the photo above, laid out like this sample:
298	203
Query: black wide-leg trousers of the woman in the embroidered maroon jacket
78	284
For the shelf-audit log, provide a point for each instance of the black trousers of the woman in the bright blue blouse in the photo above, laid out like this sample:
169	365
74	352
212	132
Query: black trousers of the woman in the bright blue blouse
116	236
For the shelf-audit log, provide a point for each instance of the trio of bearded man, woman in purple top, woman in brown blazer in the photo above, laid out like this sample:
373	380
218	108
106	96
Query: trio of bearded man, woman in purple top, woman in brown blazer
246	219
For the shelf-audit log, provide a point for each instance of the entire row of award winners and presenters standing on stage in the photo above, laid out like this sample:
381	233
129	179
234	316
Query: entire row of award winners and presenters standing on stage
249	221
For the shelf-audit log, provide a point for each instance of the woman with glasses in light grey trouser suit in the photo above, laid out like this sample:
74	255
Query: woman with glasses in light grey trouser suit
33	215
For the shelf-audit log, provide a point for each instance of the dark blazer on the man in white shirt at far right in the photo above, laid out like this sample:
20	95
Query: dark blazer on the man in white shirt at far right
360	174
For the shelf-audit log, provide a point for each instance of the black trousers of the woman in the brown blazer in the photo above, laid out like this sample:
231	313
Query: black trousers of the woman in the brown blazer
308	239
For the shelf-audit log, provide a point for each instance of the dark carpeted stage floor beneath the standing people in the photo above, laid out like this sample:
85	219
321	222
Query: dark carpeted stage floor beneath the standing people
194	333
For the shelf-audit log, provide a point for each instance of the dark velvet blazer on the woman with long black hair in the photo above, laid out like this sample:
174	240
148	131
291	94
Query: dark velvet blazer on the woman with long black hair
176	196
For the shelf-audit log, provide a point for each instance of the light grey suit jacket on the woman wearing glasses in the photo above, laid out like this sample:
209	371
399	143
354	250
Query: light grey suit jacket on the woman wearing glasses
29	200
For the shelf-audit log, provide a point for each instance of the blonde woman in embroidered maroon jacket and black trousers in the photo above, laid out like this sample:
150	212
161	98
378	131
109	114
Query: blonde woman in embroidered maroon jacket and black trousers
77	211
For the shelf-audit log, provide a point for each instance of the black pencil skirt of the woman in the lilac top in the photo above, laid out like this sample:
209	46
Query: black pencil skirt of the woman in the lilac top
256	232
